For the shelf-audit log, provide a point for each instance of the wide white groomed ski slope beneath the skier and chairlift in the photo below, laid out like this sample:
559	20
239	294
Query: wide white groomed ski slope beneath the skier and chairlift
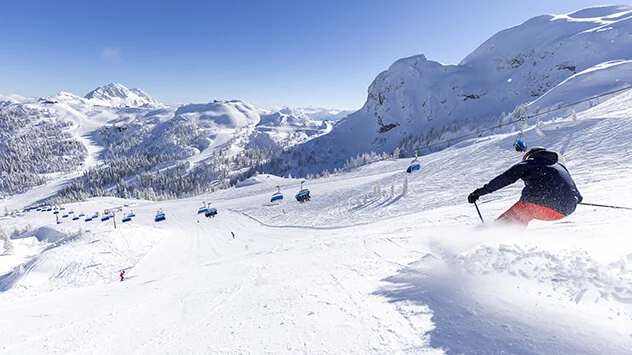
358	269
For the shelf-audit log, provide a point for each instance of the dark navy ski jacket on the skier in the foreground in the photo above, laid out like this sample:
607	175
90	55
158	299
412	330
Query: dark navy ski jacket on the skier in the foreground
547	182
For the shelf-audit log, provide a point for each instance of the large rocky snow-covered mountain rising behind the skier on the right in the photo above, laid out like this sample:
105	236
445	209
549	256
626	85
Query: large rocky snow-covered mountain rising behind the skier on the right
548	60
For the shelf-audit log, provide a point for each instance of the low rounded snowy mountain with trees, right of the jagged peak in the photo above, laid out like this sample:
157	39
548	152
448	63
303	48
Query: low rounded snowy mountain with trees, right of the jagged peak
233	125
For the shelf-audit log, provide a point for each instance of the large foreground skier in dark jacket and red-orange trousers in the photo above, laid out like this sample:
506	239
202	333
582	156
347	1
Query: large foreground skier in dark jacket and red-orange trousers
549	194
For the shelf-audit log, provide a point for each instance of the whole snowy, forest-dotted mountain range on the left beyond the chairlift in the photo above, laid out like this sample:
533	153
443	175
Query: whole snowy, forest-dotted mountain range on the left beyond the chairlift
115	133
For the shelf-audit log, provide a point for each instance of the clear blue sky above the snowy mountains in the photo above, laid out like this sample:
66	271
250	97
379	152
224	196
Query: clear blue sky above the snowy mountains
294	53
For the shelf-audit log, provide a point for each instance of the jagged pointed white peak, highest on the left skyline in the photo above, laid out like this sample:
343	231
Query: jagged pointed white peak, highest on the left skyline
117	95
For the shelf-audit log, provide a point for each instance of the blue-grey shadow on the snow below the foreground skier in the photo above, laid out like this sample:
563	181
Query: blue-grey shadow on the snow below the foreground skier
464	326
